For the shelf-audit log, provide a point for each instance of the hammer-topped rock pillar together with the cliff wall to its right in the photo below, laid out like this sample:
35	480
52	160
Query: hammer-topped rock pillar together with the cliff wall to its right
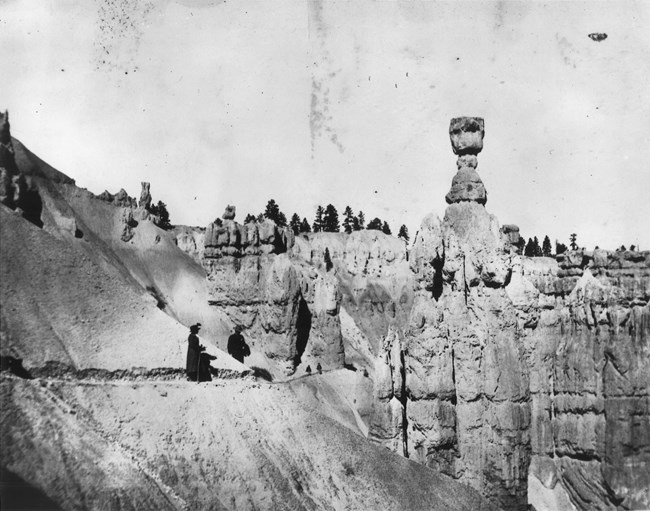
509	359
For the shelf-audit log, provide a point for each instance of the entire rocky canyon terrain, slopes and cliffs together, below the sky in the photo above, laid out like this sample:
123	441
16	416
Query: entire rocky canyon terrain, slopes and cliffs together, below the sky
524	378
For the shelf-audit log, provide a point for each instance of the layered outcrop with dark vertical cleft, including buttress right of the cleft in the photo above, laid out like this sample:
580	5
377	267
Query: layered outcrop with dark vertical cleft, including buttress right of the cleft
290	312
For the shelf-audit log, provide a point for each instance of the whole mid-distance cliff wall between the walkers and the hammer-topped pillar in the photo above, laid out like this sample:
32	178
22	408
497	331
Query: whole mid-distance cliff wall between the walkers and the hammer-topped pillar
279	288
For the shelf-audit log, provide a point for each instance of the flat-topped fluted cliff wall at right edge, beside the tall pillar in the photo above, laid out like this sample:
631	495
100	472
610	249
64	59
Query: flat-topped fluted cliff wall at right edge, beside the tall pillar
587	349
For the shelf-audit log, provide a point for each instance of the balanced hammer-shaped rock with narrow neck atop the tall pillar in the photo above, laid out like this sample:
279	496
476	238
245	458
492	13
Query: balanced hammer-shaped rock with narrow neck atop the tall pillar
466	134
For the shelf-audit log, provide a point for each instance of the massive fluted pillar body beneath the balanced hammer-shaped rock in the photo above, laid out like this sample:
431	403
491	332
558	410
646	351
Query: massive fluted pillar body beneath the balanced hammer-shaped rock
467	409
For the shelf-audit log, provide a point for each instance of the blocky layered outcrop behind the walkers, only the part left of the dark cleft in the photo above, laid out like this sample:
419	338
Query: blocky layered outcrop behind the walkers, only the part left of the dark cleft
251	277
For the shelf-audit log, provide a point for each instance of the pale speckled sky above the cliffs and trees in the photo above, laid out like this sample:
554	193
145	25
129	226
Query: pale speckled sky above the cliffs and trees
348	103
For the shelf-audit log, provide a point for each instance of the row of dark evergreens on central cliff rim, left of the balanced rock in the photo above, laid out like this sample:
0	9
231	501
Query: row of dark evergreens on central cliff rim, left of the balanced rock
326	220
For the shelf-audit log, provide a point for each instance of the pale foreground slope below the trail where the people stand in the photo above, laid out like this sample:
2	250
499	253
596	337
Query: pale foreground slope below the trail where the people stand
235	445
